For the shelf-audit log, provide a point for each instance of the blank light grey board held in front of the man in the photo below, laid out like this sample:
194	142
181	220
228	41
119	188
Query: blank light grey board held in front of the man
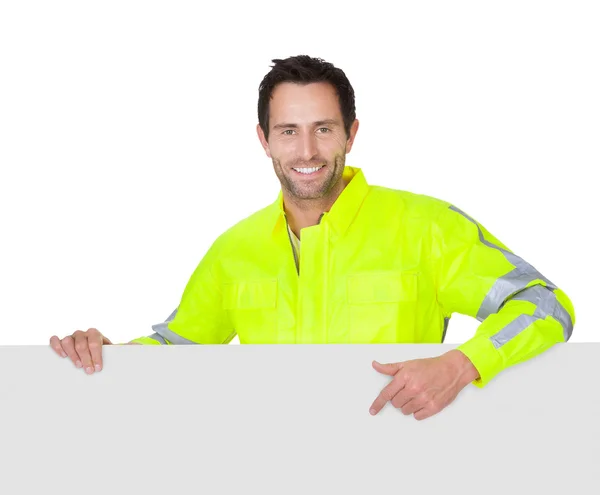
290	419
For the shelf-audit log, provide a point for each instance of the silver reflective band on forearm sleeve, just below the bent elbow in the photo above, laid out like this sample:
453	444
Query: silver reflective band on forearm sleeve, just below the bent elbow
546	305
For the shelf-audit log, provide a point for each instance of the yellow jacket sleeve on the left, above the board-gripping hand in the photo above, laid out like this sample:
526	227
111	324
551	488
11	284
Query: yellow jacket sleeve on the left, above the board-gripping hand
200	317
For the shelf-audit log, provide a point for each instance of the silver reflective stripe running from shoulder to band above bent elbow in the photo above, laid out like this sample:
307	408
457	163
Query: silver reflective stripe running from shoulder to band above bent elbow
505	286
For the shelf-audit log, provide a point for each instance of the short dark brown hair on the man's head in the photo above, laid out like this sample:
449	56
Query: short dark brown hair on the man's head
303	69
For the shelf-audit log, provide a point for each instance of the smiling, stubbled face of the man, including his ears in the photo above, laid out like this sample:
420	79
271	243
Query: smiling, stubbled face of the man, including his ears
307	142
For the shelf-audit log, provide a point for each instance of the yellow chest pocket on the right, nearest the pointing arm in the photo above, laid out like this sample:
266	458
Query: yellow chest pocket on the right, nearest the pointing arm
382	306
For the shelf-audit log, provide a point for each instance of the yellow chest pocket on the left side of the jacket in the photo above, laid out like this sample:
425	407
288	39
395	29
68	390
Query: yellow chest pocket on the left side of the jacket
252	308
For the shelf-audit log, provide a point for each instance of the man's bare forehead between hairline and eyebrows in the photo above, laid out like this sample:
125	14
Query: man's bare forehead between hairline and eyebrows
300	102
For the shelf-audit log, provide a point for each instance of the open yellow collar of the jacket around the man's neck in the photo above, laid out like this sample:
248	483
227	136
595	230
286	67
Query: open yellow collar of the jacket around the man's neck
342	212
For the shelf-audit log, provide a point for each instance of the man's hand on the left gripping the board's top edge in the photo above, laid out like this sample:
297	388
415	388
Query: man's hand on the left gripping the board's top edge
84	349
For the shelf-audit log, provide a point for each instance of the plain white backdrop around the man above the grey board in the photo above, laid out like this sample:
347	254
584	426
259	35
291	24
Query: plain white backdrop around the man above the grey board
128	142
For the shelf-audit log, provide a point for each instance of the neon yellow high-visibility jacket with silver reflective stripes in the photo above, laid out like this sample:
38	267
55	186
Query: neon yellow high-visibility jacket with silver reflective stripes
382	266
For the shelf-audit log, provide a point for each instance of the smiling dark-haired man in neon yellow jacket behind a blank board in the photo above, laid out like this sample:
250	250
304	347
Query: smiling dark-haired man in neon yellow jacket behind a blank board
335	260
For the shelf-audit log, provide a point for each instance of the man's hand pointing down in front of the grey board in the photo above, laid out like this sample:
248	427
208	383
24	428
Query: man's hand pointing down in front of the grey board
424	387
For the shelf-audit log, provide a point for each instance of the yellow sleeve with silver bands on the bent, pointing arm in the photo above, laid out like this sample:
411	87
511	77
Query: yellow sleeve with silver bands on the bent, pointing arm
522	313
